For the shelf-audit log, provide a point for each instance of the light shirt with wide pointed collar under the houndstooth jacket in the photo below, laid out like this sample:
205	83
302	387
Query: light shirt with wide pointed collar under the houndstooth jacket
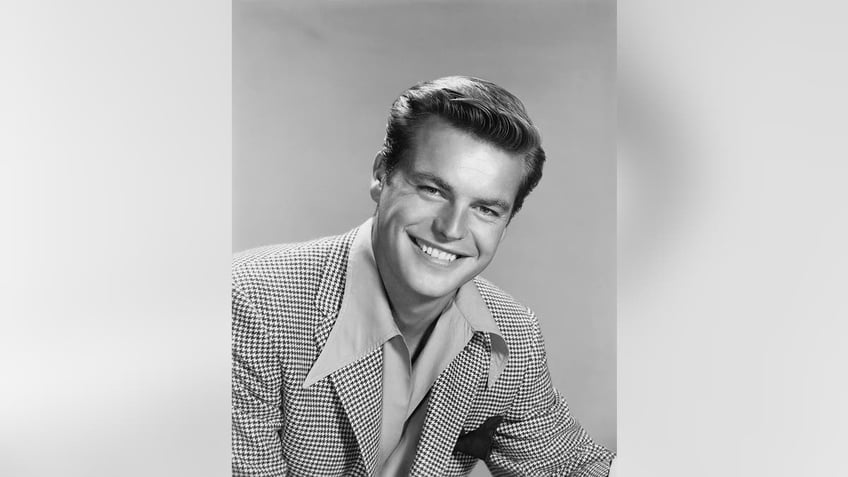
365	323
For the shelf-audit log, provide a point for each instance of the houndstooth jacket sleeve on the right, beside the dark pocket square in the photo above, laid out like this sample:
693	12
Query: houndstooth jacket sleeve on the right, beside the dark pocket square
539	436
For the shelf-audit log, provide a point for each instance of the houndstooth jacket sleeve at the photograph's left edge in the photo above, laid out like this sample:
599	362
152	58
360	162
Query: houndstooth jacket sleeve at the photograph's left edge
257	396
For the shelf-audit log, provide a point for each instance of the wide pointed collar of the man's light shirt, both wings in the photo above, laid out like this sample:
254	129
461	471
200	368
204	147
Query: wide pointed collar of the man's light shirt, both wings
365	319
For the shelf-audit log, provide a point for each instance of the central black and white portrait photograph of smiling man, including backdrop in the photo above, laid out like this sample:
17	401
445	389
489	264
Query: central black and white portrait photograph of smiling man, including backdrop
424	238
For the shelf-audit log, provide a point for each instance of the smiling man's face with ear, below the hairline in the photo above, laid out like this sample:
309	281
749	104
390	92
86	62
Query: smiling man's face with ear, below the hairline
442	213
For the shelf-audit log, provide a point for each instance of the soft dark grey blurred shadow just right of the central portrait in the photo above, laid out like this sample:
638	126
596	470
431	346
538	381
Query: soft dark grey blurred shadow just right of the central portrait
657	187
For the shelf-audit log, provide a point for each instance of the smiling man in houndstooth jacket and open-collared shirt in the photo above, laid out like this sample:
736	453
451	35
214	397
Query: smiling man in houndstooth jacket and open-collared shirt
381	351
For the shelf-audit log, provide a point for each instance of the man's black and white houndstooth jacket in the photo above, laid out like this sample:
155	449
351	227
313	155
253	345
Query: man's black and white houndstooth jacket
285	301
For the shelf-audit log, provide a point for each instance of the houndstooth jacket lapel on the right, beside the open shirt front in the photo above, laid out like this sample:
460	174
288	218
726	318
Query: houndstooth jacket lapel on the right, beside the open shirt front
449	403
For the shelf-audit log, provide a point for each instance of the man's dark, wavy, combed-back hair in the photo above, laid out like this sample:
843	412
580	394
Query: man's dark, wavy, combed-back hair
473	105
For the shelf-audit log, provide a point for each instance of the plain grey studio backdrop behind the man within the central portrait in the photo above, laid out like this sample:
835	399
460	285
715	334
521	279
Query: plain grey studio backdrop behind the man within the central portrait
312	85
